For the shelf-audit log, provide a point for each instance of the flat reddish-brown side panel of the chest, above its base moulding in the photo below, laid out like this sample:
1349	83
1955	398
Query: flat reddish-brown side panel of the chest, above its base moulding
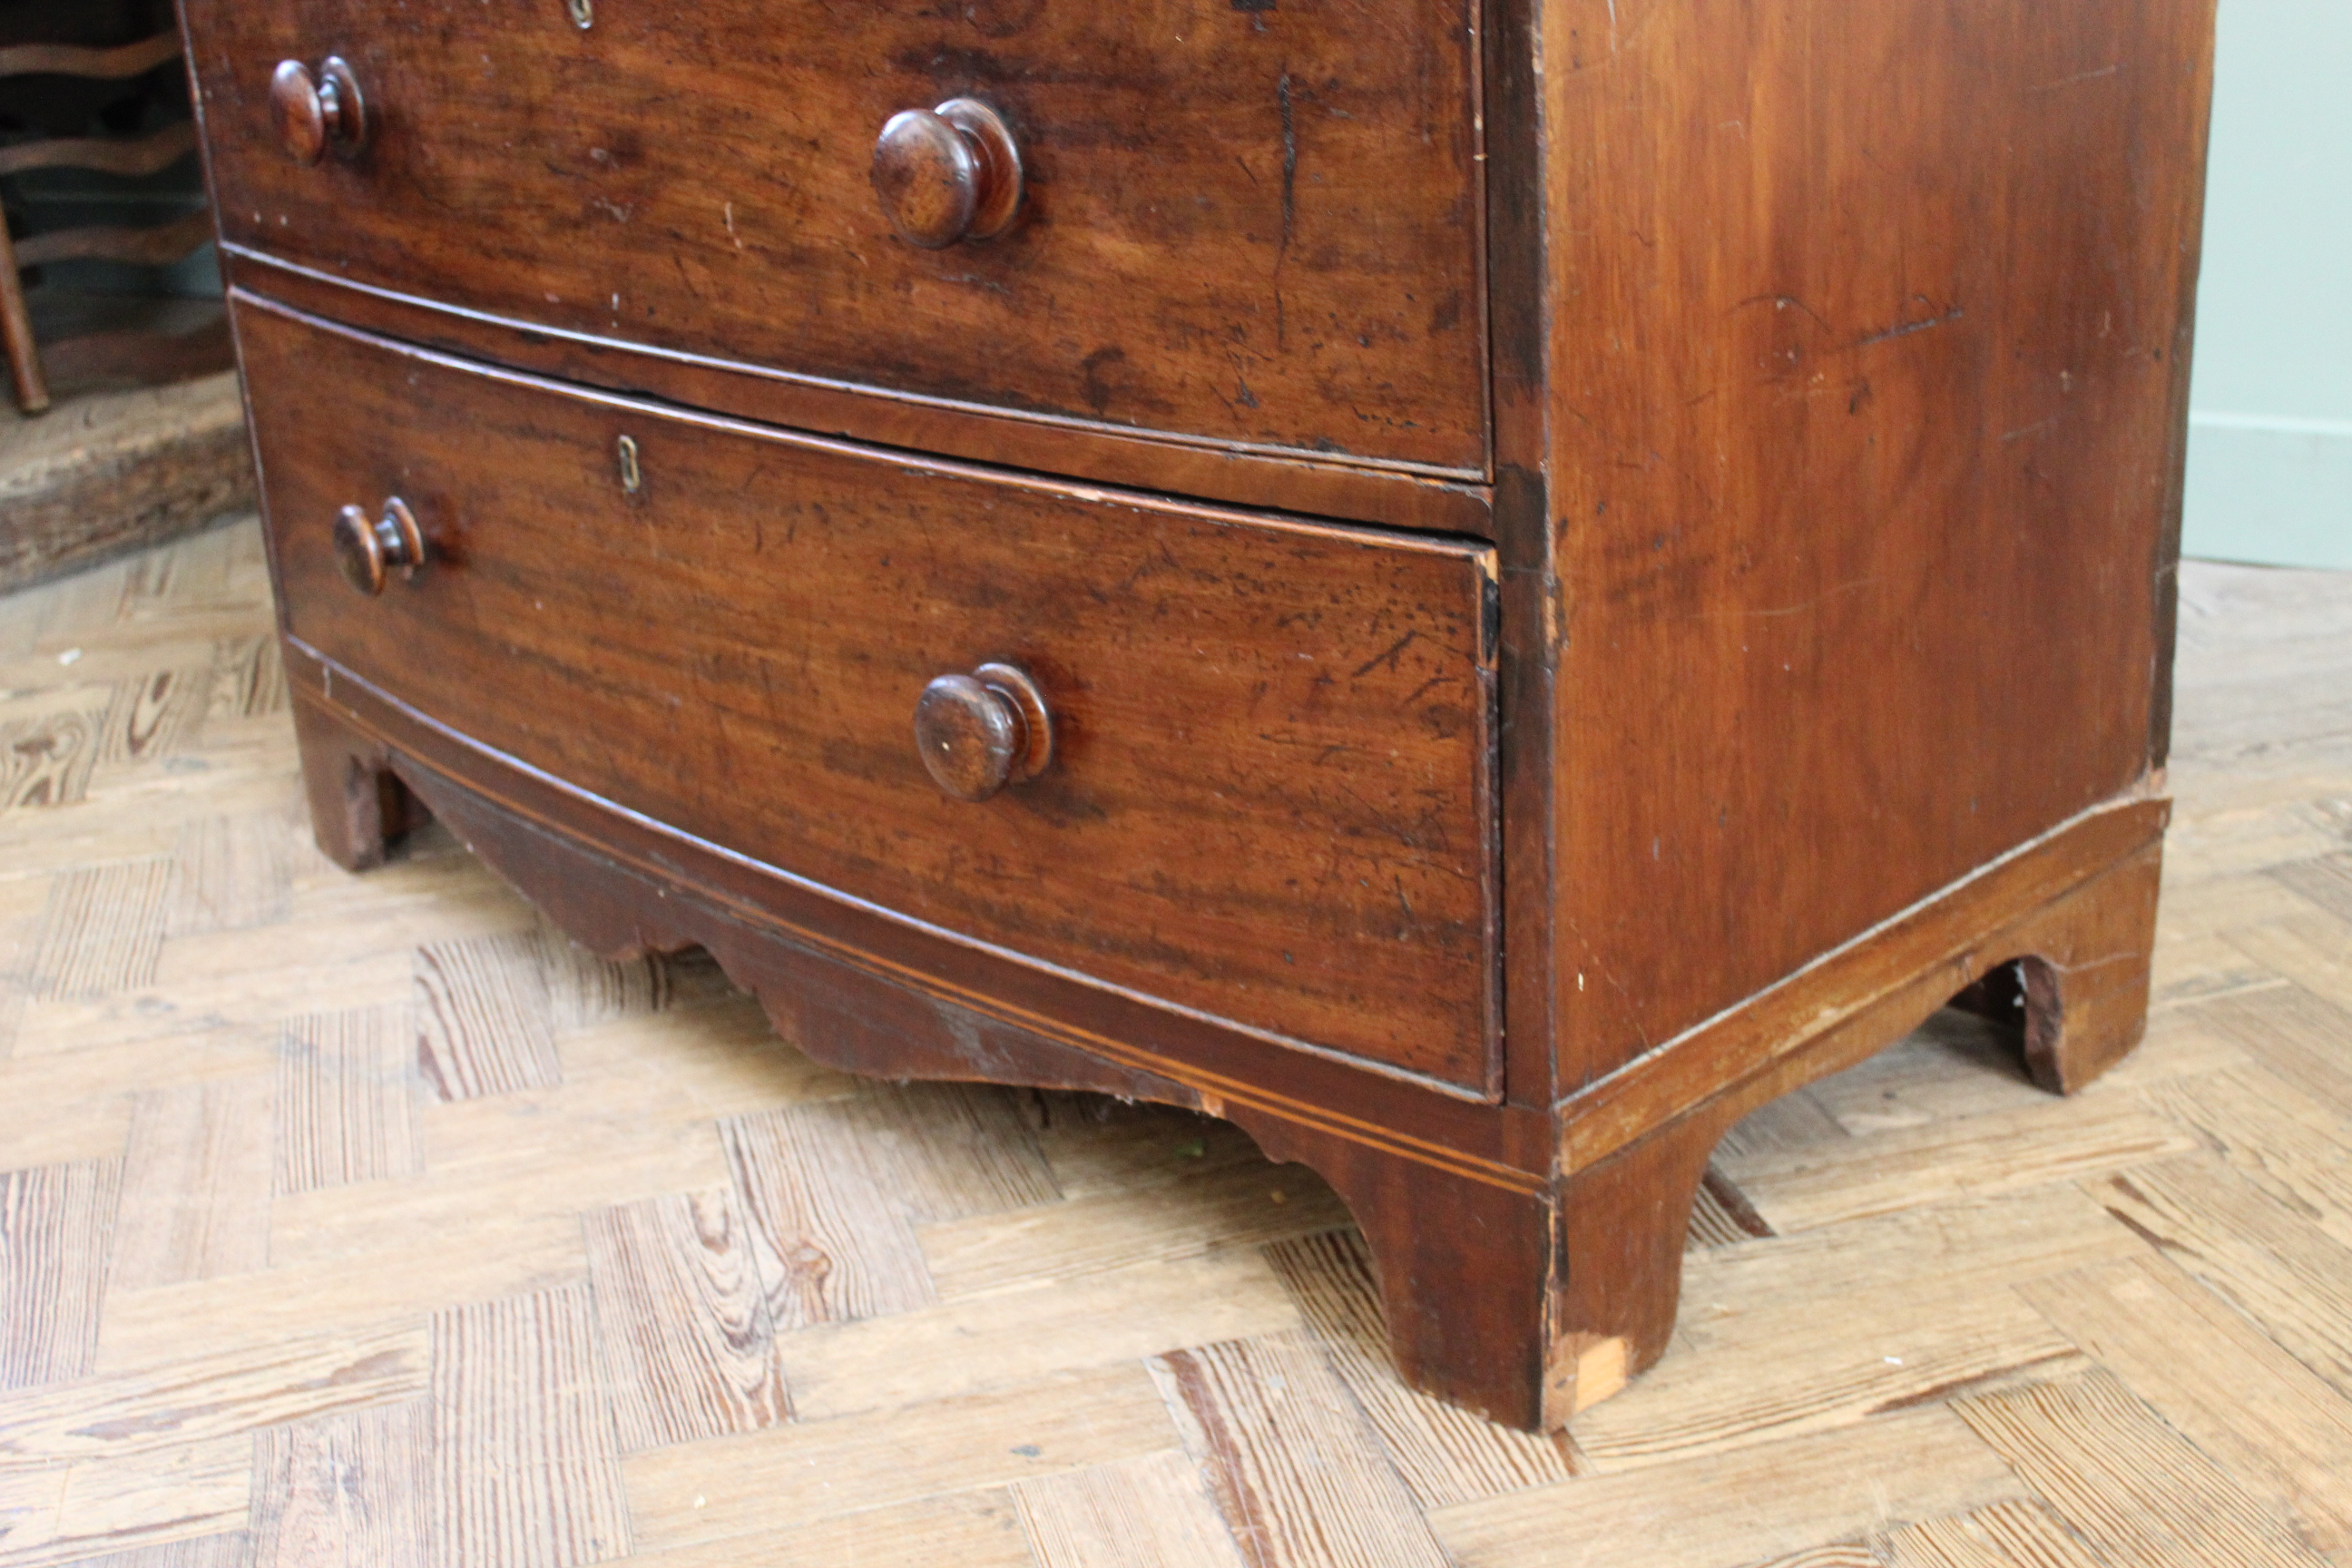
1789	417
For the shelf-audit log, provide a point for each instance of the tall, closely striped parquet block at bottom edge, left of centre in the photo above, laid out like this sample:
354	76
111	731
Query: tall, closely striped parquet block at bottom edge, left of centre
526	1468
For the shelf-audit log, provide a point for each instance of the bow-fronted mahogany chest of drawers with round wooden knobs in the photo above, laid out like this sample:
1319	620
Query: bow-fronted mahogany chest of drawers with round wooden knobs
1478	589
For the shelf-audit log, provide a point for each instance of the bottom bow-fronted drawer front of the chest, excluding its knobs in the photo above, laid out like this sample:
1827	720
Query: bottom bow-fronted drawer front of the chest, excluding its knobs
1269	784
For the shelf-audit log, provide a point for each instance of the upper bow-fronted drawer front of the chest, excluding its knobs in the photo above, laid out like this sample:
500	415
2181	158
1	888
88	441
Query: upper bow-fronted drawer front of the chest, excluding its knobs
1243	222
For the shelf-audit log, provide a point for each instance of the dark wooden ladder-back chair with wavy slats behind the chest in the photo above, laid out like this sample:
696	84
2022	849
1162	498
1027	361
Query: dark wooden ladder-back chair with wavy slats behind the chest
156	246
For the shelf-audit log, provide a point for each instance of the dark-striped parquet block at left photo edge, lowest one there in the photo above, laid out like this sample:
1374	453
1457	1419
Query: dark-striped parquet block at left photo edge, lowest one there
55	1238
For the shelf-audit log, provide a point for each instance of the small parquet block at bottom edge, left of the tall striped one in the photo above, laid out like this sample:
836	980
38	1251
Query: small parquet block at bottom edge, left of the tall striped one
345	1489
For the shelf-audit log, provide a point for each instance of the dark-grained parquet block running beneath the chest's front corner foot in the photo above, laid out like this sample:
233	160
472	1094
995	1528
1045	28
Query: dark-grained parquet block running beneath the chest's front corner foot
1443	1452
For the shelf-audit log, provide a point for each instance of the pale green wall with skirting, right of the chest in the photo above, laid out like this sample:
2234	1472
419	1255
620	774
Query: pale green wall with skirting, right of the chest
2271	401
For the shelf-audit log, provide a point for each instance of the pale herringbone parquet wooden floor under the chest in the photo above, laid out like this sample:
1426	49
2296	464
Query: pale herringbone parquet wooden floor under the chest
363	1221
